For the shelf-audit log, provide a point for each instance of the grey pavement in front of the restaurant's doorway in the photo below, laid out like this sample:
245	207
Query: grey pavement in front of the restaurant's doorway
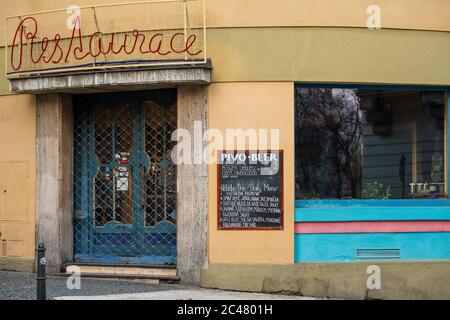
22	286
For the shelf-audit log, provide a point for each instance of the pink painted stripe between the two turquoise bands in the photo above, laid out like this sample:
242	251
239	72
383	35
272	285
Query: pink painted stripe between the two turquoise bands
372	227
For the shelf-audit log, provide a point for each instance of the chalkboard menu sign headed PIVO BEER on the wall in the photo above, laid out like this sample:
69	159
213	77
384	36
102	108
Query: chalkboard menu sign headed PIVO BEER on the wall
250	190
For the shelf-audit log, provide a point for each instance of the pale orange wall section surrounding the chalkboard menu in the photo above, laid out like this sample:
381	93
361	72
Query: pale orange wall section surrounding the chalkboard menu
253	106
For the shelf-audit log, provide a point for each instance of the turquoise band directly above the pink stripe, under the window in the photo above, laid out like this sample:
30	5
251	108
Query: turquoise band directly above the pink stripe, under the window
375	213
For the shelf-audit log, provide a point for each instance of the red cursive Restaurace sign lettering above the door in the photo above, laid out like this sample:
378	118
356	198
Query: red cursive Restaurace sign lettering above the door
57	49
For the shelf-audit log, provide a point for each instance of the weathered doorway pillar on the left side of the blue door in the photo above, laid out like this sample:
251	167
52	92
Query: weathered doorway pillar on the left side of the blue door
54	149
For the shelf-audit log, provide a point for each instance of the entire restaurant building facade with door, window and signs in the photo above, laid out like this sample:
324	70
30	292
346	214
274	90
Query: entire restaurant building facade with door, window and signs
356	112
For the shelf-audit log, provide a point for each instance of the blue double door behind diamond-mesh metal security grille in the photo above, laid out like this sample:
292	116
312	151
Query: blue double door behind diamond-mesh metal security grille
125	181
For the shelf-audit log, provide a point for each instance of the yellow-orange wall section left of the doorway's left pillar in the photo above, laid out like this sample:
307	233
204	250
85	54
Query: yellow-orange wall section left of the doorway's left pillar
17	178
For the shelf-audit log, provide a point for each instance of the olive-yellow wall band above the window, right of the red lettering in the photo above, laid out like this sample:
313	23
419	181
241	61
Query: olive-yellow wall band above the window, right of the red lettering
327	55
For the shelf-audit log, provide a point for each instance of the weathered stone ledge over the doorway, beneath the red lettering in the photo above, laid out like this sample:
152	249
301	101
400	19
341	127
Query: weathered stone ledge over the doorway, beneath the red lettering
113	80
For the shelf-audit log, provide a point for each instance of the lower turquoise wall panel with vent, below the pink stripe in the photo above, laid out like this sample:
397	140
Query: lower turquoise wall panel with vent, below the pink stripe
310	248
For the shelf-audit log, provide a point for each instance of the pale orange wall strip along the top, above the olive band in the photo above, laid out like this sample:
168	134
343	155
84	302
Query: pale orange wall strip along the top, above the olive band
396	14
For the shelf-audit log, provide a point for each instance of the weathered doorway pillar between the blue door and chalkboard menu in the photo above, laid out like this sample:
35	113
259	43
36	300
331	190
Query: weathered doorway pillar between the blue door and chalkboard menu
192	190
